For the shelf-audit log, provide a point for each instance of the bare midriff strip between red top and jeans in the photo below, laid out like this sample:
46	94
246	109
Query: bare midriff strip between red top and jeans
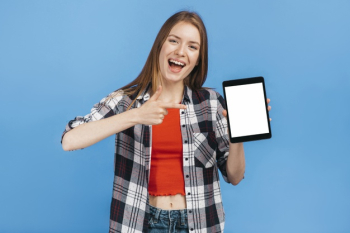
175	202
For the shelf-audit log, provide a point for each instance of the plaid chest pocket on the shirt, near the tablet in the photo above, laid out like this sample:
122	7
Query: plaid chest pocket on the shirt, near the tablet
204	149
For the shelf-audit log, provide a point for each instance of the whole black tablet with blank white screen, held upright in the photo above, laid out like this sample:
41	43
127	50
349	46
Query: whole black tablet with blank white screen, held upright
247	114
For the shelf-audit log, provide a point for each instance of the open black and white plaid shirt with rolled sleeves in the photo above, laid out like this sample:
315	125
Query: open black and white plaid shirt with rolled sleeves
205	149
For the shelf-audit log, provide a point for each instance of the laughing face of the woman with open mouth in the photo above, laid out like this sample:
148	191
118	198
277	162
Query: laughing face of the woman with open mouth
179	53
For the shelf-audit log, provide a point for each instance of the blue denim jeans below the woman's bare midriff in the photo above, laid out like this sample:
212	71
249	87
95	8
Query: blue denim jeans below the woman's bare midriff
167	221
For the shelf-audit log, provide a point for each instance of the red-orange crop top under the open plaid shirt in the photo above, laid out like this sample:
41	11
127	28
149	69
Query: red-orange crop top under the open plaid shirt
166	176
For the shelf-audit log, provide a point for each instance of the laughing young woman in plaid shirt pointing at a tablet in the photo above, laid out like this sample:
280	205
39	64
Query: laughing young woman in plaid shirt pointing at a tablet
171	138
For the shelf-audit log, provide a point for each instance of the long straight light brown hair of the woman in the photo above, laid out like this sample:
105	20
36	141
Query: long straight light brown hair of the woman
151	71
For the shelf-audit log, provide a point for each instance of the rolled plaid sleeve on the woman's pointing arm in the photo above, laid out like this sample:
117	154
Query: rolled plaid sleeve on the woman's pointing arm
107	107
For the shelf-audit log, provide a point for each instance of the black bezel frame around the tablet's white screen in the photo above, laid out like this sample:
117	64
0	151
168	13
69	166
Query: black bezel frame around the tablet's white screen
244	81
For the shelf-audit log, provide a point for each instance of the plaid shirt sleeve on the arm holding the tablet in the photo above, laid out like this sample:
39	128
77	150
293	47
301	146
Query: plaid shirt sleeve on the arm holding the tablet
222	139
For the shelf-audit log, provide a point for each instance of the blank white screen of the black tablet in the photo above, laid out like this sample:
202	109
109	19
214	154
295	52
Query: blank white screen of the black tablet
247	112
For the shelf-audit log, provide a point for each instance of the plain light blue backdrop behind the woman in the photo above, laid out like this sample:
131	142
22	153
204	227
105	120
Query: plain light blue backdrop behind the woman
58	58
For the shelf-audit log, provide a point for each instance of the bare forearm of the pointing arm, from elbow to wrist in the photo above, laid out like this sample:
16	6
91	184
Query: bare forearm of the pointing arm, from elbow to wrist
92	132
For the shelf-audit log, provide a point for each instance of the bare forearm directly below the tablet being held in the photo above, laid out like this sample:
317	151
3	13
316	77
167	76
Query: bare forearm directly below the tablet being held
235	165
